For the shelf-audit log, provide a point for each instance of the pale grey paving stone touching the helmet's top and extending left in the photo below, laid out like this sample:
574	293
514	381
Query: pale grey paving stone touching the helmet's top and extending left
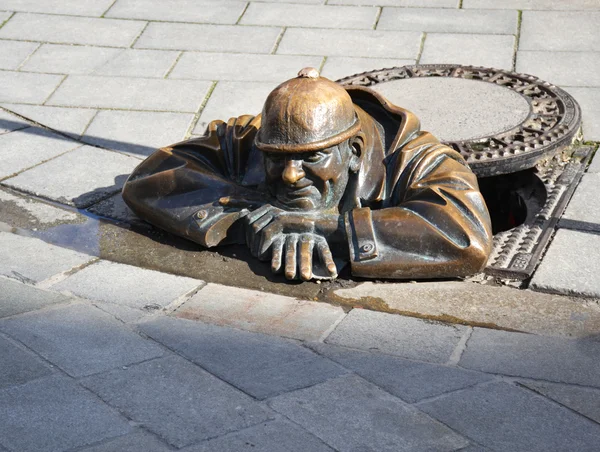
241	66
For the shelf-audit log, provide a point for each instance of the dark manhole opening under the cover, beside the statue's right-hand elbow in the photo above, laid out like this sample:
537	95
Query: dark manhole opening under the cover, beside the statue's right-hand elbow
513	198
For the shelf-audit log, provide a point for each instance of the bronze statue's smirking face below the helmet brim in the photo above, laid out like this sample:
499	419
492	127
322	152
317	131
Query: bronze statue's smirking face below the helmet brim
309	180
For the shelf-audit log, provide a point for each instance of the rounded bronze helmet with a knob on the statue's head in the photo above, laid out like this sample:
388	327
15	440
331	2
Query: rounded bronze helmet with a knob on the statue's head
306	113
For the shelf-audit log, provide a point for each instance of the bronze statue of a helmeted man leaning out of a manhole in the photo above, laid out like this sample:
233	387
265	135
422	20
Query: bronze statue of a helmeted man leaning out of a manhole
326	173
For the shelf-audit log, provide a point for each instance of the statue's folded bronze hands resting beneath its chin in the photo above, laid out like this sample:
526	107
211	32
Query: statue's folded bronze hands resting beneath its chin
289	240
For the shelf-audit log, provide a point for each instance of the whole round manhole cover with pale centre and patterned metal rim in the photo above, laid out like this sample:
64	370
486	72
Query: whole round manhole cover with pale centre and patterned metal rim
500	121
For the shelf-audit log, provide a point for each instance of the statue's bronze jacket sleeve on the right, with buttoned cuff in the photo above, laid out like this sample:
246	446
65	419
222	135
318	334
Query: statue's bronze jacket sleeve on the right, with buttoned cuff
435	225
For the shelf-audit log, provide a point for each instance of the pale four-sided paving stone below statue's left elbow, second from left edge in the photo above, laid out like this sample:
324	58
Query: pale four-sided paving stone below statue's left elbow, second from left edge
127	285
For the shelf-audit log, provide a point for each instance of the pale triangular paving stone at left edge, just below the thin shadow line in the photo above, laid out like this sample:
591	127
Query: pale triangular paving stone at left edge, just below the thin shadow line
30	146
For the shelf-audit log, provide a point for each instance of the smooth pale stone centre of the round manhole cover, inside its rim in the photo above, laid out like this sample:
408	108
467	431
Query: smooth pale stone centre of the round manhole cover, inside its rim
478	108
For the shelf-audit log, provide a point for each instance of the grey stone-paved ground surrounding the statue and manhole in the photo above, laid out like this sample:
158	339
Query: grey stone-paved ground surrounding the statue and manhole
98	355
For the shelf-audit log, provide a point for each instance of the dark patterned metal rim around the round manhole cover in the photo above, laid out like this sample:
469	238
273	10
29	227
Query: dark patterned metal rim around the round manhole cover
552	123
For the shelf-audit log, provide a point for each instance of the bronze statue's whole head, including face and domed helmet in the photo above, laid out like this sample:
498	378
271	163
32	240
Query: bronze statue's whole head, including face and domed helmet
311	140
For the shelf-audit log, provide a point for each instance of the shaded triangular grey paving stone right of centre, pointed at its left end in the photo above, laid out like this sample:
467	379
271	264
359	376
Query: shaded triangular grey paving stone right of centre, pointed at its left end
409	380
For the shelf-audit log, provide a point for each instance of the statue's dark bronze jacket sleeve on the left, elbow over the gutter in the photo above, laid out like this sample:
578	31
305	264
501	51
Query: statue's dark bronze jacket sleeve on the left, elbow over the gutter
178	188
